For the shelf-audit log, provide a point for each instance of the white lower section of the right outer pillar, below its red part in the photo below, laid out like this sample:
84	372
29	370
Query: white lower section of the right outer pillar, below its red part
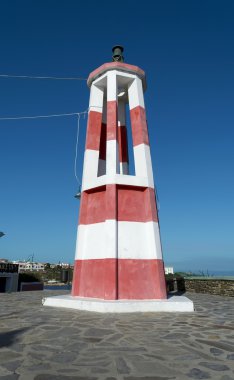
143	163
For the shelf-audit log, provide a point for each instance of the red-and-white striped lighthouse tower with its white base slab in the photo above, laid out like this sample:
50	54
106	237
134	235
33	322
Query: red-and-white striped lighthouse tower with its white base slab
118	261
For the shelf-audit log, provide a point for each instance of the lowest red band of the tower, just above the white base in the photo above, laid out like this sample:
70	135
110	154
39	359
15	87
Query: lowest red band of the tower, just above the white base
119	279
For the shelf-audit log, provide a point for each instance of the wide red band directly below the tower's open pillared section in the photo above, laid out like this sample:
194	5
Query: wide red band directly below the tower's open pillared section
119	202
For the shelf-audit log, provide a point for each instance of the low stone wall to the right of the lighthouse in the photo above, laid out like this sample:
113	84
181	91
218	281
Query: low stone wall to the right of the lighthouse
212	286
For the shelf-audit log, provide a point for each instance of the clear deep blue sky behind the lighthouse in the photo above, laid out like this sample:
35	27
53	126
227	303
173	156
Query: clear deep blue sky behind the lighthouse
186	49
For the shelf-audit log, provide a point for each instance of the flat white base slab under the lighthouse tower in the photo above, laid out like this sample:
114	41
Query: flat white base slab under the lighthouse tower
172	304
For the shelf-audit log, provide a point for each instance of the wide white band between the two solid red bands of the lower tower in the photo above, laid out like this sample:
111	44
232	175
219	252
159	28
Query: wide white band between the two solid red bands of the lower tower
135	241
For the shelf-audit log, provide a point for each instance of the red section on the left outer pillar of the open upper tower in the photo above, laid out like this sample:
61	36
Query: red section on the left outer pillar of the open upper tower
94	130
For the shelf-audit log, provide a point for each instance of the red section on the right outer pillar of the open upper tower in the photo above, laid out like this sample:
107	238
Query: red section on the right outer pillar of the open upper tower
139	126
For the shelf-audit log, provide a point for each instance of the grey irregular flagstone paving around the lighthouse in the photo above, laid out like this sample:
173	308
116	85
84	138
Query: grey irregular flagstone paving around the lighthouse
42	343
